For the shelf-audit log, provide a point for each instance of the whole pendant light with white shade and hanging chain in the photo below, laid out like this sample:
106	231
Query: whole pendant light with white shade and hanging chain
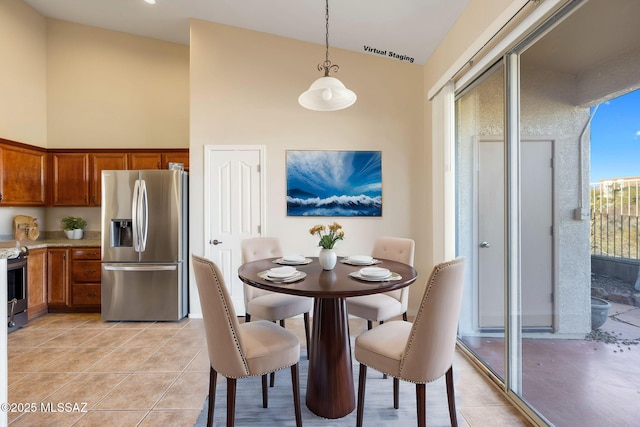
327	93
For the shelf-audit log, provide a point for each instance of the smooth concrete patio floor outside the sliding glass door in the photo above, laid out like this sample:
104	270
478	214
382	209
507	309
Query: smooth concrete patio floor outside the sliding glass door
580	382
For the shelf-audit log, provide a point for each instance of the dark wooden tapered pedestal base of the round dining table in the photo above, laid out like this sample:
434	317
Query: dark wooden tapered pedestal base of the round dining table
330	391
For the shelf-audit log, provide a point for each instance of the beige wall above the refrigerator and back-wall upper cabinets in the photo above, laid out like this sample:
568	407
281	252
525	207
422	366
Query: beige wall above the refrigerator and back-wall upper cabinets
107	89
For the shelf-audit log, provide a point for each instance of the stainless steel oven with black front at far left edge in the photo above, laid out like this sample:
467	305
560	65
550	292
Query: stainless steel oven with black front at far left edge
16	293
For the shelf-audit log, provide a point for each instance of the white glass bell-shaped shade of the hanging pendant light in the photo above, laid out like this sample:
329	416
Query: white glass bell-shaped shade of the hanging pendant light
327	94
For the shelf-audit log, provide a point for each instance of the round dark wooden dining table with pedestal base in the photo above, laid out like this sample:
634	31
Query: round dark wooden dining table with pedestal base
330	388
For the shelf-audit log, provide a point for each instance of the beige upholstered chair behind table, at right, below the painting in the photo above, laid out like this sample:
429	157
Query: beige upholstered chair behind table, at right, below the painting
383	306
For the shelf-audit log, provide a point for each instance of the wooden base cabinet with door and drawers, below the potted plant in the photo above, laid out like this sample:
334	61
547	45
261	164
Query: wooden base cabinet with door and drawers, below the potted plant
74	280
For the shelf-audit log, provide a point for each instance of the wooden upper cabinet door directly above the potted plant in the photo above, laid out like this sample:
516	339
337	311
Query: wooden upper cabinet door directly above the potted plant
69	179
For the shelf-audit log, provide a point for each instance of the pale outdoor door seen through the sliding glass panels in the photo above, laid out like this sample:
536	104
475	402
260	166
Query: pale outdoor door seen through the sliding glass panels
537	238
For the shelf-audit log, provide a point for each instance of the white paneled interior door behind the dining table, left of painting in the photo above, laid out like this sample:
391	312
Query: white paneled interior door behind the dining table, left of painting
234	208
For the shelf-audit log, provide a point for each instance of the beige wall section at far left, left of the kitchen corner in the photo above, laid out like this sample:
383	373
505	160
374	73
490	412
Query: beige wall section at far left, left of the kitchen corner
23	113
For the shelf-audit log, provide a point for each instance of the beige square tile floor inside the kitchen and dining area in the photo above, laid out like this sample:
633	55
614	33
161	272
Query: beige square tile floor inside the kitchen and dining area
155	373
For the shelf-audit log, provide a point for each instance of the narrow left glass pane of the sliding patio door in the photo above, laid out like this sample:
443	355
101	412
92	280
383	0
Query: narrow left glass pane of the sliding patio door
479	112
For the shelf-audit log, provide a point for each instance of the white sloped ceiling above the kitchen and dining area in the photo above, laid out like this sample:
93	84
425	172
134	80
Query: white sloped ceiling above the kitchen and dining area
408	27
